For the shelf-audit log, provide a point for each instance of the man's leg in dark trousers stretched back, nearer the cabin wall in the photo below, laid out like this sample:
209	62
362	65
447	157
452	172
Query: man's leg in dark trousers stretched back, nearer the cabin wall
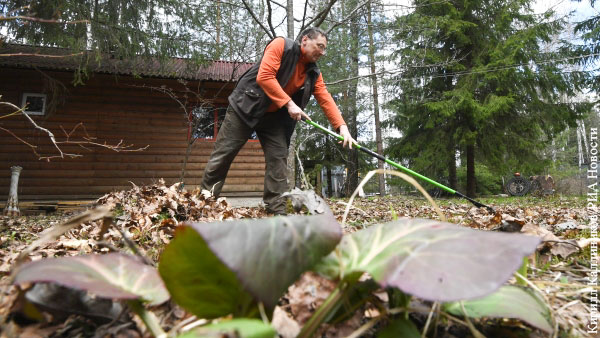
232	136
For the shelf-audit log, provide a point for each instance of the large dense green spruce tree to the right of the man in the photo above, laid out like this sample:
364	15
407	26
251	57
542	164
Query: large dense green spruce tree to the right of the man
478	80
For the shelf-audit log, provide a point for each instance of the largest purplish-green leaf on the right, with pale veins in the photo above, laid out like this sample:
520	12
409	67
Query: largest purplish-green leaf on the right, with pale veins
430	259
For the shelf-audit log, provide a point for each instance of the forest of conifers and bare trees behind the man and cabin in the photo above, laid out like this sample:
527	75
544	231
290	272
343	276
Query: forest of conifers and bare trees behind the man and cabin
464	92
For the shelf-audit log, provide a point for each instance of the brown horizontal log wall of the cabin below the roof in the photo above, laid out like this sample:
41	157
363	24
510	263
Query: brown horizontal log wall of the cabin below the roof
110	109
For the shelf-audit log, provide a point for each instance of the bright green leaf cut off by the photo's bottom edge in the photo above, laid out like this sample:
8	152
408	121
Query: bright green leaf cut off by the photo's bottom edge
242	327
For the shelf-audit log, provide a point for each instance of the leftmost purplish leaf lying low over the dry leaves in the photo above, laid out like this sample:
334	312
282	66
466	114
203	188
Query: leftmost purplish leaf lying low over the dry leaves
114	275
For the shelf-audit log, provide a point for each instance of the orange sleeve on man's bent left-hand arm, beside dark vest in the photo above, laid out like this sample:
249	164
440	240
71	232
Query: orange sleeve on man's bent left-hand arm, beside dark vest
267	73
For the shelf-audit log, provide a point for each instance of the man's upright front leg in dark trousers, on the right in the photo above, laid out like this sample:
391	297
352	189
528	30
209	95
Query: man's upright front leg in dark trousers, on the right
272	135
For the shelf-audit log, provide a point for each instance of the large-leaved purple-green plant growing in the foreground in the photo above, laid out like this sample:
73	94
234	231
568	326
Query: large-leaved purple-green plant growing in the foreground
241	268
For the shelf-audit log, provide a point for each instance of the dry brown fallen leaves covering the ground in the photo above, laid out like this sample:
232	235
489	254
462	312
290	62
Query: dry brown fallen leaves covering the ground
146	216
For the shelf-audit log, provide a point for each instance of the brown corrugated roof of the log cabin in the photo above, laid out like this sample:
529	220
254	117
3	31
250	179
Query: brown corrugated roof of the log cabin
50	58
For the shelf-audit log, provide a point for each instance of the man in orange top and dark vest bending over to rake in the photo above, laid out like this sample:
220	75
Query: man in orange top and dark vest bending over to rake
269	99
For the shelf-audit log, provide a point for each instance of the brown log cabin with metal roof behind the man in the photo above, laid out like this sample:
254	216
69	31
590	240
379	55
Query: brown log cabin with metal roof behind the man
146	111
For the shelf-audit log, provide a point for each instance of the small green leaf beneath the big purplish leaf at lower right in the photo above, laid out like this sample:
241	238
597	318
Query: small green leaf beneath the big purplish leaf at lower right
507	302
